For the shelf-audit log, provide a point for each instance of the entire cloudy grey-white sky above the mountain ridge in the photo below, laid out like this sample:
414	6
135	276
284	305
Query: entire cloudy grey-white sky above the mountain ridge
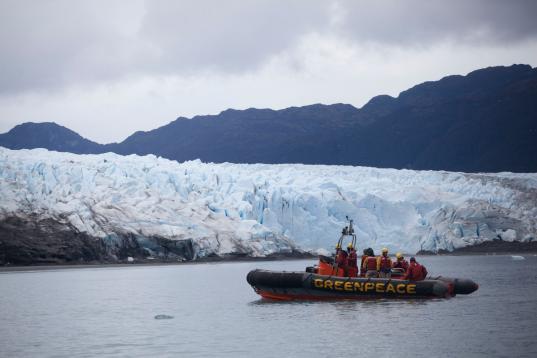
108	68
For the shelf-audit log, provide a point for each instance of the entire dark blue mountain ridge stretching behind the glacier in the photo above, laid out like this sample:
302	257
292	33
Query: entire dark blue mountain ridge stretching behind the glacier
483	121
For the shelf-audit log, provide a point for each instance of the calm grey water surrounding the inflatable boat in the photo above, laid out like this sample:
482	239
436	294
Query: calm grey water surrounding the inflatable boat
110	312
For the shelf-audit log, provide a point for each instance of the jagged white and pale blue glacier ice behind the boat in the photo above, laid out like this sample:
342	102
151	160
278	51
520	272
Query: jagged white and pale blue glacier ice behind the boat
261	209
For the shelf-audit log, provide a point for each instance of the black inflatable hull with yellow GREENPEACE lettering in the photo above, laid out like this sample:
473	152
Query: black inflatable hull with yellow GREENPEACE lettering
282	285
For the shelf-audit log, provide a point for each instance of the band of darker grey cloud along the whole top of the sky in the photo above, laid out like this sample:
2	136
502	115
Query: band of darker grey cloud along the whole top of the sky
47	45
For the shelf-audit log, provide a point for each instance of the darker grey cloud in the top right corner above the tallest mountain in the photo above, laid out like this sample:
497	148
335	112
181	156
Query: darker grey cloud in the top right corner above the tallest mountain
423	22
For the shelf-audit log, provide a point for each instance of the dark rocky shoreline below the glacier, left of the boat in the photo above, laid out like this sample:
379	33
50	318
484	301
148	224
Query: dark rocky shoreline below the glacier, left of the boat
35	241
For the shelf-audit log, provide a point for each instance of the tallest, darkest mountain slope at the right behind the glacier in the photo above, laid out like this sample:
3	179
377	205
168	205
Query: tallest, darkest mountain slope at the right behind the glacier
458	124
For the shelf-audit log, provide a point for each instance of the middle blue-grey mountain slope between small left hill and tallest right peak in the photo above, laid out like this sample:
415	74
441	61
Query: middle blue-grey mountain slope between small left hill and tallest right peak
297	134
